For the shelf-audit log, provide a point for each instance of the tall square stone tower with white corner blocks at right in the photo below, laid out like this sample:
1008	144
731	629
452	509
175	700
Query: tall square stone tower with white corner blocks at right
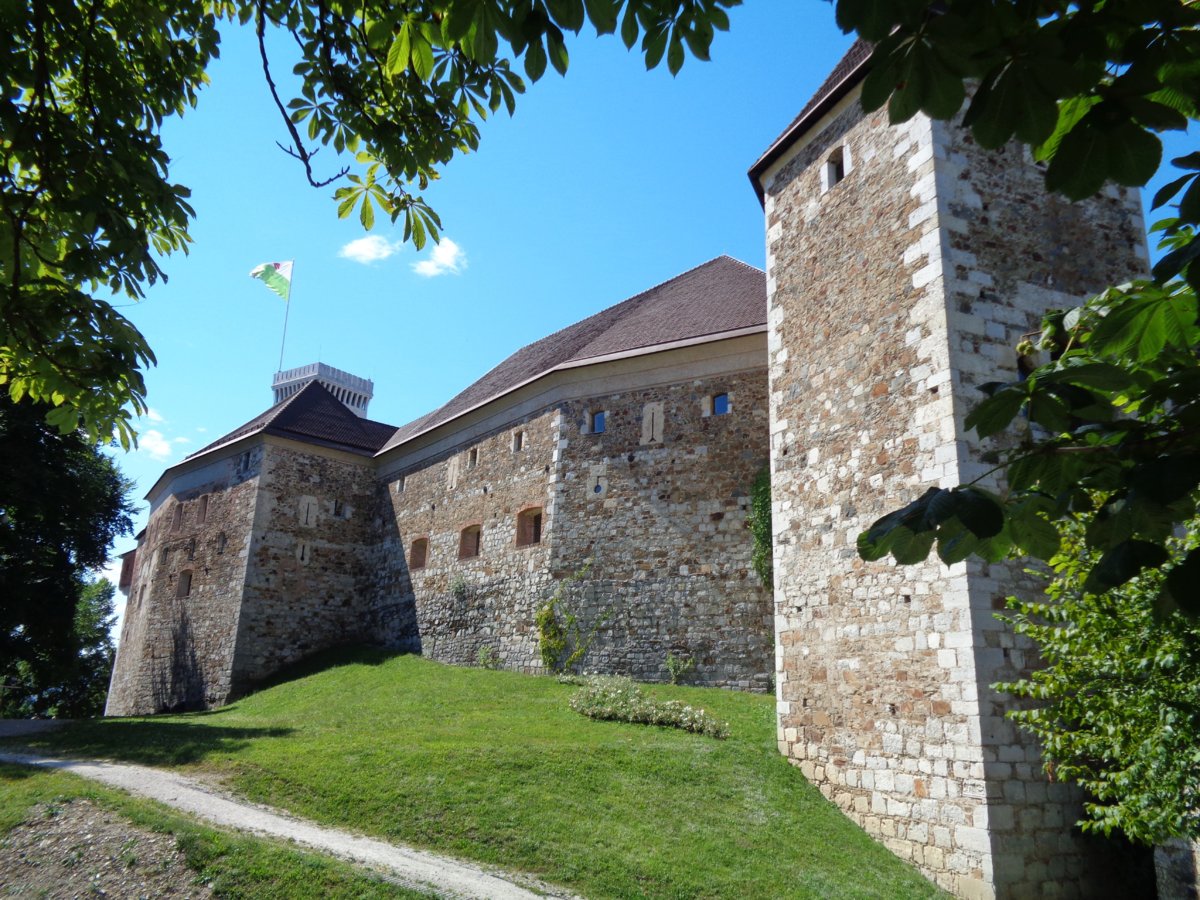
904	266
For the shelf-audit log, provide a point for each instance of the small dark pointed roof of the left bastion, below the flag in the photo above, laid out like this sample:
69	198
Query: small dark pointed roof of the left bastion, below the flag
314	416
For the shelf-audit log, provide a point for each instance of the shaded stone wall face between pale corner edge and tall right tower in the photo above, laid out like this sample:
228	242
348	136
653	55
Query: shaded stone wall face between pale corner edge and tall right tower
659	503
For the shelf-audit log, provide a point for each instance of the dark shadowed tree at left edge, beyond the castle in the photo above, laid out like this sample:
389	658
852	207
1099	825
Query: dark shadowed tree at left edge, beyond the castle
63	502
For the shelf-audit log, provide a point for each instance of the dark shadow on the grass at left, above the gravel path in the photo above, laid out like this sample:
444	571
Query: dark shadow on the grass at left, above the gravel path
149	742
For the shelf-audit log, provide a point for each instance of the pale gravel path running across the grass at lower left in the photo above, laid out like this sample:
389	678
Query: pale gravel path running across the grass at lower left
417	869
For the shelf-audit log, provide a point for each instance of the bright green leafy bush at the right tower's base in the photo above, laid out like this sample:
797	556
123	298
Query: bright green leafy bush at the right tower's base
1119	695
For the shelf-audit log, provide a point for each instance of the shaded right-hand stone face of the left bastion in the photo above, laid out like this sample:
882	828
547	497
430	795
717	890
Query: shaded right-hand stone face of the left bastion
307	579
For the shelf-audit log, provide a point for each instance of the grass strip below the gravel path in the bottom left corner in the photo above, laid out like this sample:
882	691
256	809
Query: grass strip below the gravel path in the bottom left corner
233	867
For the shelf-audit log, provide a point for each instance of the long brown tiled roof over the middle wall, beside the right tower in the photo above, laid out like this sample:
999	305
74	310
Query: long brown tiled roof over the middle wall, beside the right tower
721	296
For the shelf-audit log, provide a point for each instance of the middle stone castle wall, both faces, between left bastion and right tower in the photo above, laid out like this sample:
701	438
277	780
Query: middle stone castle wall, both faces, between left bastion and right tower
667	535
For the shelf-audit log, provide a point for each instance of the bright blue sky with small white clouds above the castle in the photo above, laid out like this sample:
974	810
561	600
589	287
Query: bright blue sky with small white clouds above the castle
605	183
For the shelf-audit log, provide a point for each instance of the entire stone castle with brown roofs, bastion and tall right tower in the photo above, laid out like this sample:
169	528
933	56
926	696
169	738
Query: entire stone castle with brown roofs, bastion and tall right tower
904	265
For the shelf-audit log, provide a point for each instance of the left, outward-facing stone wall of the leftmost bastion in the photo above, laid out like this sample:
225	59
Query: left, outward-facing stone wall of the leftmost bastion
177	652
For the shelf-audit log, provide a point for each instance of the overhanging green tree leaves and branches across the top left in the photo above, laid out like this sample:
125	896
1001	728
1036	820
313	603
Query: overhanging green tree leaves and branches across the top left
394	91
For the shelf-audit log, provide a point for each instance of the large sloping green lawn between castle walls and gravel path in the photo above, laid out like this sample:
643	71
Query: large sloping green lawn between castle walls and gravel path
496	767
